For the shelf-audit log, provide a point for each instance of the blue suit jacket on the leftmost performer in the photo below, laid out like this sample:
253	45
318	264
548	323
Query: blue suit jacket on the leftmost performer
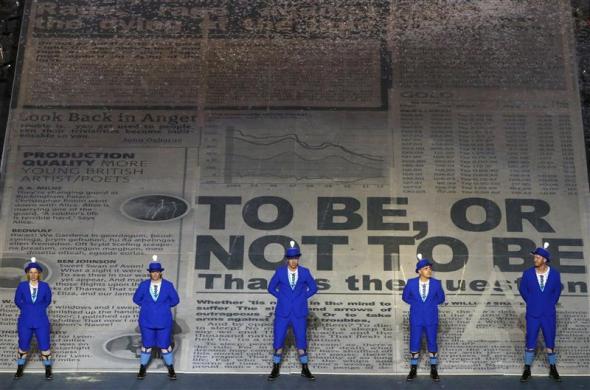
32	315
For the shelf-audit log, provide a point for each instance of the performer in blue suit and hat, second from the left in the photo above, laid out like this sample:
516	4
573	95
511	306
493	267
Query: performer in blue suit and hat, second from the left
156	296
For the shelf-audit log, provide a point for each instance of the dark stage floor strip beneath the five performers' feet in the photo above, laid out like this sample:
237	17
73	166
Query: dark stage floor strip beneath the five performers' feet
159	381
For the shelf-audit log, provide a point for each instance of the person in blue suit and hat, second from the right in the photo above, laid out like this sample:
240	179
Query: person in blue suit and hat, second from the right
423	294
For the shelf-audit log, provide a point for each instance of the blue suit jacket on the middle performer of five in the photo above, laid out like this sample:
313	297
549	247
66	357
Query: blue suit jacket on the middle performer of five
288	299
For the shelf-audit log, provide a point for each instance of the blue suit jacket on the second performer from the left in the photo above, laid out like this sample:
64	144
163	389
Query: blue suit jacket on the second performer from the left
156	314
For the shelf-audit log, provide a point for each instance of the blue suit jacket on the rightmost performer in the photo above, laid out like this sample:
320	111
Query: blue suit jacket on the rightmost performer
540	303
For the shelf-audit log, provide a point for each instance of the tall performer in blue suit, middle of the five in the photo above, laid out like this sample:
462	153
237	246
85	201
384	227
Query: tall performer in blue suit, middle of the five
292	285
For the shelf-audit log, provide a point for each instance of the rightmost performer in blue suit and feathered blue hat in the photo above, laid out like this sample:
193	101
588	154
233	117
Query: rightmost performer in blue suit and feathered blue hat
540	287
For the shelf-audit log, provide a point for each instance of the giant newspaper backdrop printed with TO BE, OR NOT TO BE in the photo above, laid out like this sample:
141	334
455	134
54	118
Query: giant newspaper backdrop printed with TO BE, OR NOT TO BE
213	132
